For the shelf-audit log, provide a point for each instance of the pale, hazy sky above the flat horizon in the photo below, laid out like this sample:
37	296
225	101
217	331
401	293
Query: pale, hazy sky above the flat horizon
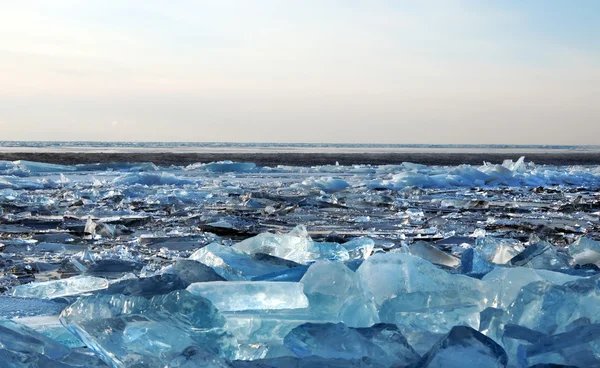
354	71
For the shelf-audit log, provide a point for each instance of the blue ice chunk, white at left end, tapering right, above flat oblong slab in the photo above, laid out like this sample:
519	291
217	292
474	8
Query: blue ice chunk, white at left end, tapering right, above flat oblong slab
233	264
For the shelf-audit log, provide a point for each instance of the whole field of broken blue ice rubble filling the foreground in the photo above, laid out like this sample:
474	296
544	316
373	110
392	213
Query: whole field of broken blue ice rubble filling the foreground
428	266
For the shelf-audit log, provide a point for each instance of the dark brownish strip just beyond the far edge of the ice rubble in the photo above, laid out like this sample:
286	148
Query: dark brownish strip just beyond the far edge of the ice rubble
305	158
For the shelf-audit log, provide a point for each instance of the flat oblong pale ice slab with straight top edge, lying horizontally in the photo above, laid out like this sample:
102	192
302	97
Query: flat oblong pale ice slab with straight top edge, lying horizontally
251	295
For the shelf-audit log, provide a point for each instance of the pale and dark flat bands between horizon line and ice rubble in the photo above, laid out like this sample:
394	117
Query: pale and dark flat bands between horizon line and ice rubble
301	157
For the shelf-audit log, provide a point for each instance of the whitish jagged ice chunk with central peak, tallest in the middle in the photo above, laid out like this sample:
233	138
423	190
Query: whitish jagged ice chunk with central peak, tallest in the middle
295	246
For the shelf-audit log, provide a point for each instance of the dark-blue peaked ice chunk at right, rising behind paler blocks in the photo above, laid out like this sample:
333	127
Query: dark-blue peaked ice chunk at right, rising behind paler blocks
541	255
